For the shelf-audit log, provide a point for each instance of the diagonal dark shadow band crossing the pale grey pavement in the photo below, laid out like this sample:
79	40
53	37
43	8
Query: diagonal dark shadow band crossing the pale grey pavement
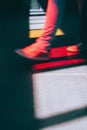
61	118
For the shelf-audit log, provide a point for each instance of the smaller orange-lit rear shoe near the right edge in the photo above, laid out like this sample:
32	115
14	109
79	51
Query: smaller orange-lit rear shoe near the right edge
77	48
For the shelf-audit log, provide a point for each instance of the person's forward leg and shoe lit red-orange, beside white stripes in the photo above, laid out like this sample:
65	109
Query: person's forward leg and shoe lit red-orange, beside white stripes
54	14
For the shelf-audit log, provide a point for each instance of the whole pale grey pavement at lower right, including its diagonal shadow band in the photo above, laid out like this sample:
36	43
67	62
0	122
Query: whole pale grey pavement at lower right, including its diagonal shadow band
60	99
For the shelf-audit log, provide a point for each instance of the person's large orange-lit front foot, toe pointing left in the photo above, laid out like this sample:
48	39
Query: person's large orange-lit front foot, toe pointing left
34	52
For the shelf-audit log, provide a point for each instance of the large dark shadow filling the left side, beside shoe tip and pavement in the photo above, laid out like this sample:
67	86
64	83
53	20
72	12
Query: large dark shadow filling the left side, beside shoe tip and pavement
16	97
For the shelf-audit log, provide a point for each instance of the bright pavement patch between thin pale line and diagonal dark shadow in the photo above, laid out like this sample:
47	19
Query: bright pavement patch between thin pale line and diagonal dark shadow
52	96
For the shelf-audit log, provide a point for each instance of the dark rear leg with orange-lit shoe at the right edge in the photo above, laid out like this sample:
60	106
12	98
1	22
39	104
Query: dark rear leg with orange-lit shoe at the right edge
82	46
